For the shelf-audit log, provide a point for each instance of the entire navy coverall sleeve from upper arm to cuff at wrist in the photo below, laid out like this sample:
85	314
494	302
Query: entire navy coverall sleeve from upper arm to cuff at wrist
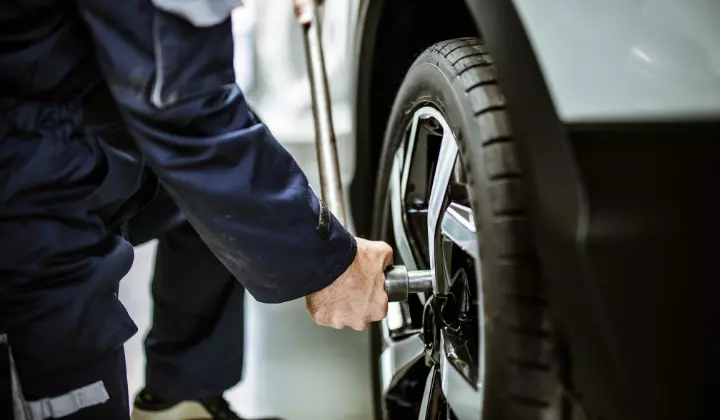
238	187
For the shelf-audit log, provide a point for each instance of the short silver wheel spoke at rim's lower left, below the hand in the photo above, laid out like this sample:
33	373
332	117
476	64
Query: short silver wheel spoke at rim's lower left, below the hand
399	357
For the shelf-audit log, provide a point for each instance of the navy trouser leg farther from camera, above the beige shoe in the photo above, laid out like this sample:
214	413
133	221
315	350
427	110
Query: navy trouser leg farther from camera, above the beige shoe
195	346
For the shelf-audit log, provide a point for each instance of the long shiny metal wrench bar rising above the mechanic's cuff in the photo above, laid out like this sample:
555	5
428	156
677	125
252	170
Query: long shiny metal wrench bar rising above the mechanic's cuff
329	167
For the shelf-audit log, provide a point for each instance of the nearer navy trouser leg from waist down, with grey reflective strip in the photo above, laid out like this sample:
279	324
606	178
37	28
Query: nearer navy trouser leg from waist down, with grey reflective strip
60	265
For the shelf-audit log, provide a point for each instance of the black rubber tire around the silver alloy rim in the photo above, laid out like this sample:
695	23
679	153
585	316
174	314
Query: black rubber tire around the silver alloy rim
458	78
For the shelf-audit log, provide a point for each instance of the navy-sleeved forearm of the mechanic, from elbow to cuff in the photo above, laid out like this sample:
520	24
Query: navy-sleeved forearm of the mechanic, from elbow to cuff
252	205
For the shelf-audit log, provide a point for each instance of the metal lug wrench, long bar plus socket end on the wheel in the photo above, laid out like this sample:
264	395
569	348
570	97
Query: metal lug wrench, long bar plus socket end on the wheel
399	282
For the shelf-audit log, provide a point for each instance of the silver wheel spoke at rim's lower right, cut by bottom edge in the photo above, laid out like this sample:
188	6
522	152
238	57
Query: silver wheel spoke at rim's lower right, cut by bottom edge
463	397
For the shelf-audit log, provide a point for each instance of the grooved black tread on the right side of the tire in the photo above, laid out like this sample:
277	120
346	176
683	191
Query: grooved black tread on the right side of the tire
531	380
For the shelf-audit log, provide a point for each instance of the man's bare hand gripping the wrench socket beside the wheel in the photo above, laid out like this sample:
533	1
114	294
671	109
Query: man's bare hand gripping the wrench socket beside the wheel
358	296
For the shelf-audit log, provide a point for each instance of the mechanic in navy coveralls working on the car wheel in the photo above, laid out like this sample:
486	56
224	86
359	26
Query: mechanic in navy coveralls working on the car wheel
113	115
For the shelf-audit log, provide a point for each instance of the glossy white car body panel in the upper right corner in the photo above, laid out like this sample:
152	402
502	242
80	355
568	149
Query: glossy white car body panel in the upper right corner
627	60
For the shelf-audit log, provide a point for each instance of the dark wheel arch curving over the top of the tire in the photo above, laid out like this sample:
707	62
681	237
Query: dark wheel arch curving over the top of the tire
391	34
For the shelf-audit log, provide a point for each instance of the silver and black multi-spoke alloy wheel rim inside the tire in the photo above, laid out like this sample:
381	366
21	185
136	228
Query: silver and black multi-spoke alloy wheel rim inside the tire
439	357
